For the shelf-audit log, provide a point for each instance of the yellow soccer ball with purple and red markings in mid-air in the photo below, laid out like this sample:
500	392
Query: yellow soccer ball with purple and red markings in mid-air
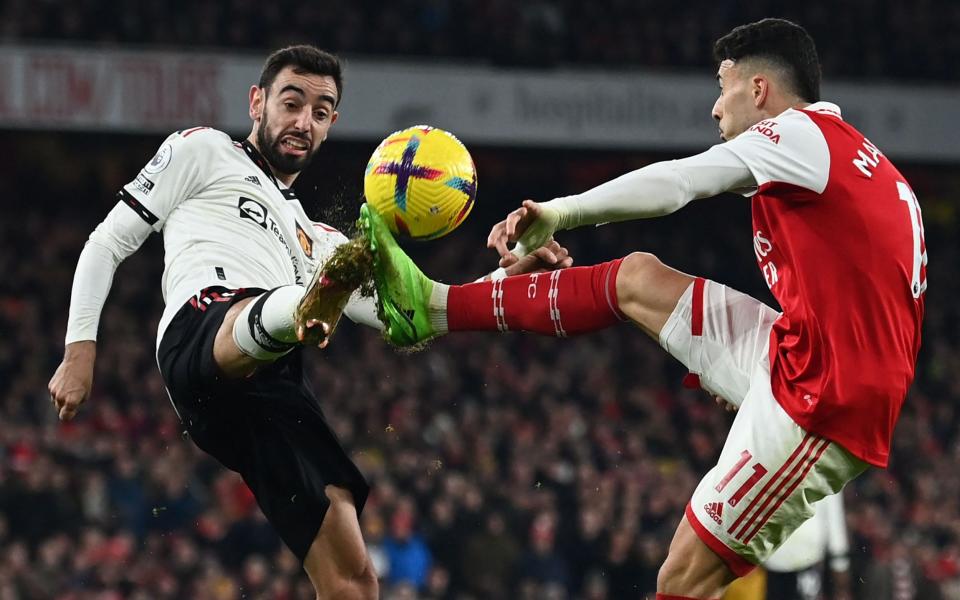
422	181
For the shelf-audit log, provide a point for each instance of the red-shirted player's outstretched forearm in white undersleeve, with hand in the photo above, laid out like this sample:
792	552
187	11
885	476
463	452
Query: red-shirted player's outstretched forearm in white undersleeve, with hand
655	190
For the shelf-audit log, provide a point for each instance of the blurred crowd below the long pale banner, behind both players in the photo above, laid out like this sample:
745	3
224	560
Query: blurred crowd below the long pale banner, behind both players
502	467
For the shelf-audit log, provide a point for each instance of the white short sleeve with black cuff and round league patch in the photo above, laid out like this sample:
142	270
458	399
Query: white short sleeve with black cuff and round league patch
171	176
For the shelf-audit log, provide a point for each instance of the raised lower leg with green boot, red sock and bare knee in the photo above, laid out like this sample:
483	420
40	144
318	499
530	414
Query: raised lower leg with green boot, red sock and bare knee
561	303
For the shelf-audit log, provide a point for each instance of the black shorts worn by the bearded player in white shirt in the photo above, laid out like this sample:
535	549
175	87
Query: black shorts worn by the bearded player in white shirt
269	428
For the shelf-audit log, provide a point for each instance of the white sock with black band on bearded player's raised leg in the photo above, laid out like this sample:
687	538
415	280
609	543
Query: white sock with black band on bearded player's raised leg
265	329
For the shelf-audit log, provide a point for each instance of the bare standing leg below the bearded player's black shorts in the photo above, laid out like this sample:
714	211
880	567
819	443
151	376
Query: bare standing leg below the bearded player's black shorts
337	562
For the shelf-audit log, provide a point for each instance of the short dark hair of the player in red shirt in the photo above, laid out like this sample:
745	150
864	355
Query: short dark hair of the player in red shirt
781	42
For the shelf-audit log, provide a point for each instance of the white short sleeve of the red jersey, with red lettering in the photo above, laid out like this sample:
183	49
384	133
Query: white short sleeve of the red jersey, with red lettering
789	149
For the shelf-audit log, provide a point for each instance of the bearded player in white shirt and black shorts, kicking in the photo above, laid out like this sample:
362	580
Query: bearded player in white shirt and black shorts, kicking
245	288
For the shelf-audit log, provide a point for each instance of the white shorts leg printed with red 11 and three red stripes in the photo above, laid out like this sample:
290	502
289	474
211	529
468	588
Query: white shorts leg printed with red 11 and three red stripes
769	475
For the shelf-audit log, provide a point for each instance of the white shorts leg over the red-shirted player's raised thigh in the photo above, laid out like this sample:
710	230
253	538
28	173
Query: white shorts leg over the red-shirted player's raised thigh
720	335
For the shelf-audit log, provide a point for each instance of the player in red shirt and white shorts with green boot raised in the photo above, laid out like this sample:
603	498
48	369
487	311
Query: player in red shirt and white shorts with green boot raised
838	236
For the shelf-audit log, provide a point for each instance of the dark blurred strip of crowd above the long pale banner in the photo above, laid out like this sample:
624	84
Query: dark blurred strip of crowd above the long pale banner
869	38
